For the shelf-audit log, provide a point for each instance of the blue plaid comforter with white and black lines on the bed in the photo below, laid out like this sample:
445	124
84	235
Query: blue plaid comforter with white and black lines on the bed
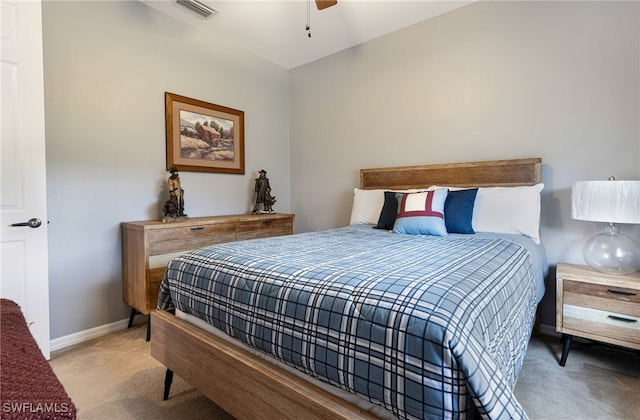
428	327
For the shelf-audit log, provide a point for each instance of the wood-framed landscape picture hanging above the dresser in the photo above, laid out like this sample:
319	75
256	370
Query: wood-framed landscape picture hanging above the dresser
203	137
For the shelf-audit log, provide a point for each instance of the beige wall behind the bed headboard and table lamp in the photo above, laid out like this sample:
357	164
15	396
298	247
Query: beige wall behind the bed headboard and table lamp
492	80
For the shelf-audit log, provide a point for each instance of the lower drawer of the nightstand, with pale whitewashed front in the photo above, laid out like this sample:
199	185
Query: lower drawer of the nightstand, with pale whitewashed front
602	323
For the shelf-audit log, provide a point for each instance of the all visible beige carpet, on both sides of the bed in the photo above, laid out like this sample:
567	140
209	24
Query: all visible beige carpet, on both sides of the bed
115	377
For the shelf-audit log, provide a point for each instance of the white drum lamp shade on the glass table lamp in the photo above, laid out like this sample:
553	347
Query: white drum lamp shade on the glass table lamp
606	201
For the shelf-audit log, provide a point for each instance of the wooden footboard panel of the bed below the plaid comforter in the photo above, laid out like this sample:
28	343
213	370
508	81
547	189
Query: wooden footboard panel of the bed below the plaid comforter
241	383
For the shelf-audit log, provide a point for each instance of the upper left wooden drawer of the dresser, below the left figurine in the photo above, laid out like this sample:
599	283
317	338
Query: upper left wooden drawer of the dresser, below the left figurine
162	241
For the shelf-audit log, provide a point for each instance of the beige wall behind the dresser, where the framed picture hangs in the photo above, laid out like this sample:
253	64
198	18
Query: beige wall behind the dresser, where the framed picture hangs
107	66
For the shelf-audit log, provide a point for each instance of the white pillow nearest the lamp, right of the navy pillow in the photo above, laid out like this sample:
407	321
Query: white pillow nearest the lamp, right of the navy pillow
508	210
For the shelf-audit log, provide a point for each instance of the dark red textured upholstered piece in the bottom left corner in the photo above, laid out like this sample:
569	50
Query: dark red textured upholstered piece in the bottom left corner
28	387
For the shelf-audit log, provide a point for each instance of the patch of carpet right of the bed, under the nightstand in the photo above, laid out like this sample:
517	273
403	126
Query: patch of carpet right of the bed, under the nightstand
598	382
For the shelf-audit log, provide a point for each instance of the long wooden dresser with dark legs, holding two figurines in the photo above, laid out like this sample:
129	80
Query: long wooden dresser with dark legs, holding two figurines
147	247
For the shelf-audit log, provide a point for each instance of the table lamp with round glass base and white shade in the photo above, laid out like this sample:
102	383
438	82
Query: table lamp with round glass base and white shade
610	202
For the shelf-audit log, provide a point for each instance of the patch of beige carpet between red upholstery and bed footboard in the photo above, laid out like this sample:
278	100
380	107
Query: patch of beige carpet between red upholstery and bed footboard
115	377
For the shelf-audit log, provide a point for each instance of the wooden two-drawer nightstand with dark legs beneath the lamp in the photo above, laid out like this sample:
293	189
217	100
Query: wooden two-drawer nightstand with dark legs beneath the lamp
597	306
